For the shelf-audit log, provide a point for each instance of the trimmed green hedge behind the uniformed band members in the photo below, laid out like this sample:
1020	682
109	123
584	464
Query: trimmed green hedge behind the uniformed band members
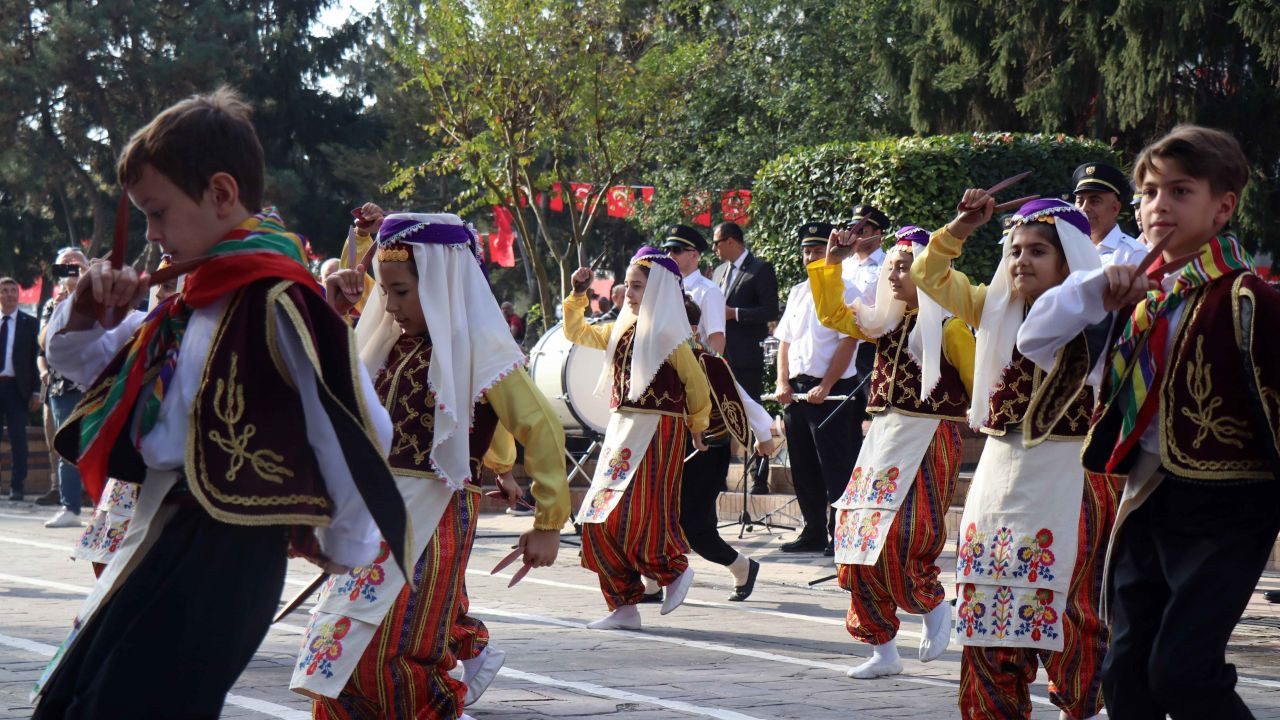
915	180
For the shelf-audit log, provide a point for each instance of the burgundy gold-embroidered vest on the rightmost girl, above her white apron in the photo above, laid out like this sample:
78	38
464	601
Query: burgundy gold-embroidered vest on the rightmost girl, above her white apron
1025	391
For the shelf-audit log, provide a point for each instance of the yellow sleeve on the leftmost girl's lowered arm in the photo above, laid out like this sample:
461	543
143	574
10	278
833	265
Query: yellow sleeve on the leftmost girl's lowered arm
523	411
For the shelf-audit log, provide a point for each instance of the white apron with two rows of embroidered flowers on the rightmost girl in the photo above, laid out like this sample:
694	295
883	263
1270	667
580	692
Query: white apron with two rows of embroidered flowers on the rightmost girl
1020	539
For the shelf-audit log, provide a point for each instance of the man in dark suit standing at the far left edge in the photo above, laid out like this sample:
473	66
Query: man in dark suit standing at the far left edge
20	380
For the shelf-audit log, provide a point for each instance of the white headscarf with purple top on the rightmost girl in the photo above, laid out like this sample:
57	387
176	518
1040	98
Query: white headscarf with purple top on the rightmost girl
1003	313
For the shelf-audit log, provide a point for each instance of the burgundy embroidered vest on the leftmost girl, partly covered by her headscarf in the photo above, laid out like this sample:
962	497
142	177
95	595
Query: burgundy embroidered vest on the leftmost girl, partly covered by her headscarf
404	390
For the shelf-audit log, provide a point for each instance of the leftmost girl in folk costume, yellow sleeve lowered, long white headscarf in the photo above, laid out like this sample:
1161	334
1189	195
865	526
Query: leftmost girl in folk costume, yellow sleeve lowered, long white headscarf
449	372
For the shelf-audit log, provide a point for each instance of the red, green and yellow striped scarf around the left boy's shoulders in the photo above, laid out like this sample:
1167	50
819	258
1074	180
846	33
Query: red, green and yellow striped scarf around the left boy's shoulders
260	248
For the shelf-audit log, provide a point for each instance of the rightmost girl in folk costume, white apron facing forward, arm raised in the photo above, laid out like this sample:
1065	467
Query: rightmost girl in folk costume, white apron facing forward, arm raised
1035	523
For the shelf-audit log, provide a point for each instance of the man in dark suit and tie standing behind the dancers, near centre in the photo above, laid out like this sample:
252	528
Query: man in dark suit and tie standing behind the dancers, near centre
751	291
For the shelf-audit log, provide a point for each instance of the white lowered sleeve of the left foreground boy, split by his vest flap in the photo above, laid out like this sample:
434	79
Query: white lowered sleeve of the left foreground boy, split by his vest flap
351	537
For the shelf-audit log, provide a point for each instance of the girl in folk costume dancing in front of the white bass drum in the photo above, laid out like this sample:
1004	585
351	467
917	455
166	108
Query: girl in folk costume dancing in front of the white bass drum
659	391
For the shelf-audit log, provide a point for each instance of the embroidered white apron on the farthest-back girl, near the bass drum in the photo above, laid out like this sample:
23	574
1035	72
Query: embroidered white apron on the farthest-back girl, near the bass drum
625	444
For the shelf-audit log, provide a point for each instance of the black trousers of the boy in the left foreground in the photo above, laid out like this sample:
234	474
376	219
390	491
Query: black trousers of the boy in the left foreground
172	641
